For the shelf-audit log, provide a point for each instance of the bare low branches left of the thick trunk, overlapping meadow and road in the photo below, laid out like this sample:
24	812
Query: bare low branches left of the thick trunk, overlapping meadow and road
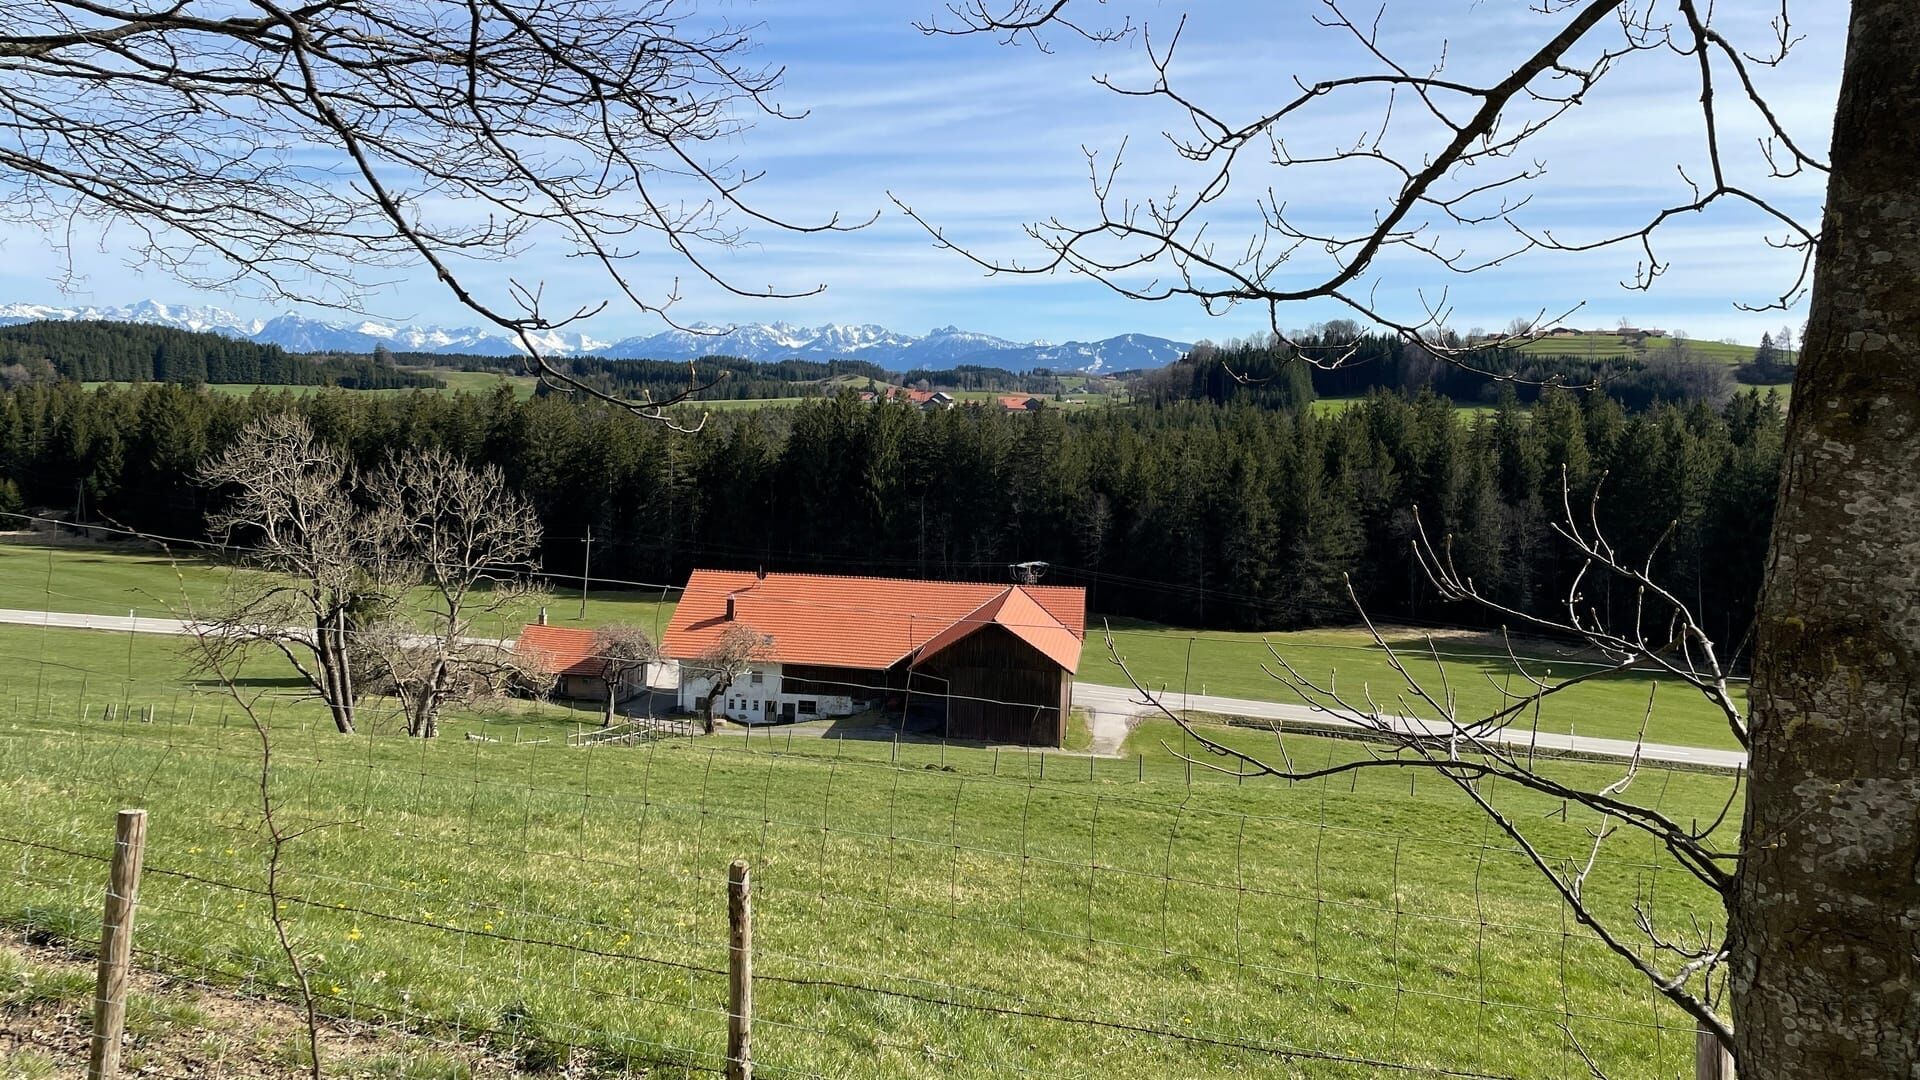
1422	720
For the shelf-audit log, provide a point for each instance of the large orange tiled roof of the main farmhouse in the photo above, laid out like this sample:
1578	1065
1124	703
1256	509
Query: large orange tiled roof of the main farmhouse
873	624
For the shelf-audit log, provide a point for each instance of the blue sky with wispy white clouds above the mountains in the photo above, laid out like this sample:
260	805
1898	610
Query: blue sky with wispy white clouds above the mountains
984	139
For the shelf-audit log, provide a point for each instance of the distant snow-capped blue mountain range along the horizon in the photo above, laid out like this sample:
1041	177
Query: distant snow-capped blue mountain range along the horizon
946	347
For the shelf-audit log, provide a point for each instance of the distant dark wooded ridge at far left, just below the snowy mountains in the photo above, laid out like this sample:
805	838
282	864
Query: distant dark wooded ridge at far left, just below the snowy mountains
139	353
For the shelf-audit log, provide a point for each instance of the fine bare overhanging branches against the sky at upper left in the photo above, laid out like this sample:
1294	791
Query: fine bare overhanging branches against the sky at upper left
318	151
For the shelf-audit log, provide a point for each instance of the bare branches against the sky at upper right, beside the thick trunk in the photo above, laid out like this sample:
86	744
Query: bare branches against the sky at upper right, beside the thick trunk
1452	160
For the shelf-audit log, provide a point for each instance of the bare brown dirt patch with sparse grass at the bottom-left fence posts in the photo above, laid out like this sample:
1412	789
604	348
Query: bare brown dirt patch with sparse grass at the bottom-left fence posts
185	1031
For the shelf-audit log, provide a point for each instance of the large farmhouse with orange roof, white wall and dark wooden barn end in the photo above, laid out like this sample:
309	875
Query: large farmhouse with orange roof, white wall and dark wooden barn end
967	660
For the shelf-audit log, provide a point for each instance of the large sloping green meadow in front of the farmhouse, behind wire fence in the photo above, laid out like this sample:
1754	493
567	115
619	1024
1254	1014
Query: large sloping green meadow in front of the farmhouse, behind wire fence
921	910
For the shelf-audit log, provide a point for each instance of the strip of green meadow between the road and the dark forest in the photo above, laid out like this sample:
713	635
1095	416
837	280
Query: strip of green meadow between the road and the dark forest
1164	658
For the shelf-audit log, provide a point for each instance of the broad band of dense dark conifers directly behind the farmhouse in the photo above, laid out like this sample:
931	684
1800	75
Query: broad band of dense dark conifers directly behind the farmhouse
1191	512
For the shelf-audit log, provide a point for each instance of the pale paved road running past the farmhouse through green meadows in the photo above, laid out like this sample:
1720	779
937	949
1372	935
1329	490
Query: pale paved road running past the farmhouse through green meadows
1113	710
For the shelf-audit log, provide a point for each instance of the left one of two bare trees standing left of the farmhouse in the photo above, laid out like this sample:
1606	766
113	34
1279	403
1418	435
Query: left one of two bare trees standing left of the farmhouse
324	556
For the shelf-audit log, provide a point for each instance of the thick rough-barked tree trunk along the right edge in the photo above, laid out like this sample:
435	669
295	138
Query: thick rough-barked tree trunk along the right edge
1827	906
